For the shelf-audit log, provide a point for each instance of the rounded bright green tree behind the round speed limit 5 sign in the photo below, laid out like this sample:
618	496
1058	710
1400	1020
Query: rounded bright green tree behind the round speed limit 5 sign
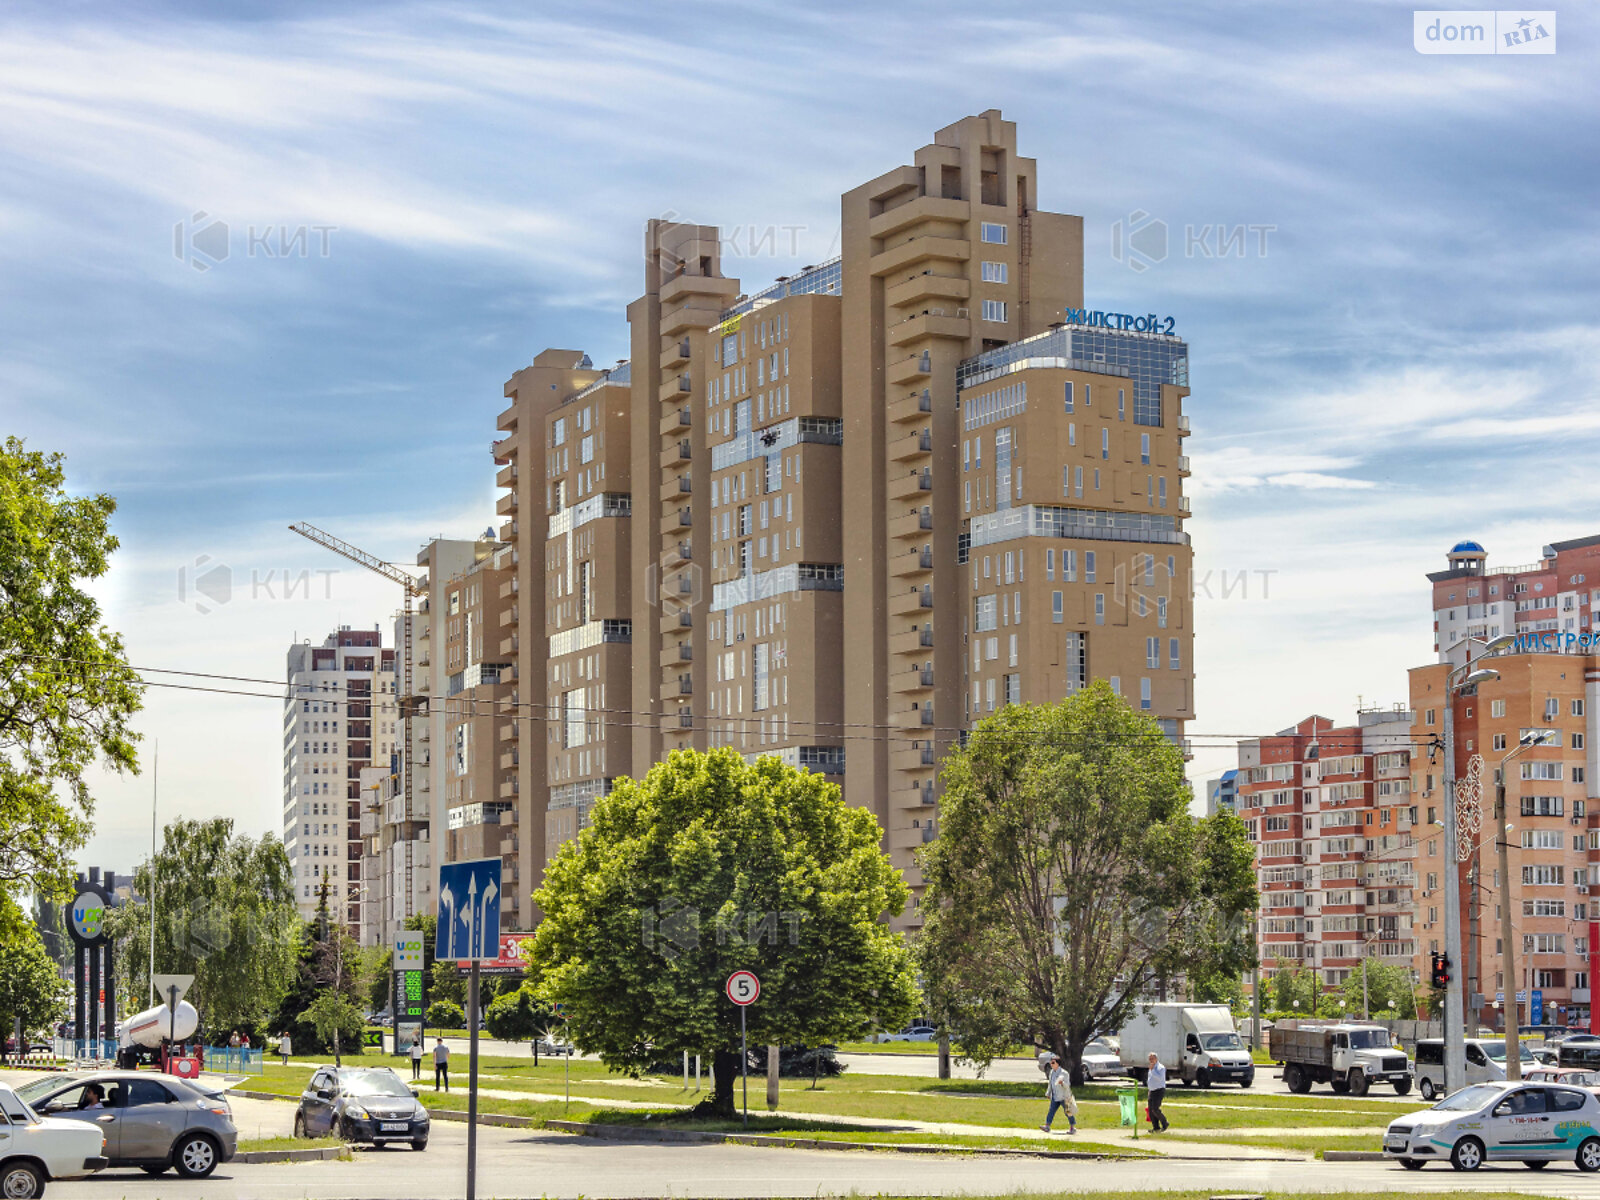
708	866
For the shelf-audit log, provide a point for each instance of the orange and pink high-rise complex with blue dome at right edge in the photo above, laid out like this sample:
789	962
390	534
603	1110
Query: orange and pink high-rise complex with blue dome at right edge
1548	679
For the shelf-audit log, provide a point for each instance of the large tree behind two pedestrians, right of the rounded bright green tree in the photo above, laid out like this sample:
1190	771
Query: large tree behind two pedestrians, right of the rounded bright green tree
1070	879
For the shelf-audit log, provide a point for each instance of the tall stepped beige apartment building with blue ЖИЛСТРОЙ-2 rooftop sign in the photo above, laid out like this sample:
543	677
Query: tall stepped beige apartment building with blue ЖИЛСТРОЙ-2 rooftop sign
846	516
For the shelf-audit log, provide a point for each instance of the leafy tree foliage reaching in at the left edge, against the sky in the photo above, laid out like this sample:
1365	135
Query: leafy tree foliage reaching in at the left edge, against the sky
66	692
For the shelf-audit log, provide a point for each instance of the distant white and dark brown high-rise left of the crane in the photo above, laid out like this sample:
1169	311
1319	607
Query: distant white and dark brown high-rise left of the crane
338	721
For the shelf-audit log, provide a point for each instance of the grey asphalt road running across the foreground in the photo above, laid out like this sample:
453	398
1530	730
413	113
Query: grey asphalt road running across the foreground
535	1164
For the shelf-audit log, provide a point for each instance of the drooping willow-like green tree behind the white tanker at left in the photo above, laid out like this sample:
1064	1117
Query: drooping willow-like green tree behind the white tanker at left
225	913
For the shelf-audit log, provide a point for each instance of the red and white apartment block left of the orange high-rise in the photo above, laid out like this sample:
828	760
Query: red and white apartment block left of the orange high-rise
1332	815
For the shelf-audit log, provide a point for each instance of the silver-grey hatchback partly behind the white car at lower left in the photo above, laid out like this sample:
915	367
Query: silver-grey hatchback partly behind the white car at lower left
154	1122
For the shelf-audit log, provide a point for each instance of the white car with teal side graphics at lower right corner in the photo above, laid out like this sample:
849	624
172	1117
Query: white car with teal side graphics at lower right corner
1534	1124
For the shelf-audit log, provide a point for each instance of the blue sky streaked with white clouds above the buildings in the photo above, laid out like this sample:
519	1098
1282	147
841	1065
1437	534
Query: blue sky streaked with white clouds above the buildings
1383	262
